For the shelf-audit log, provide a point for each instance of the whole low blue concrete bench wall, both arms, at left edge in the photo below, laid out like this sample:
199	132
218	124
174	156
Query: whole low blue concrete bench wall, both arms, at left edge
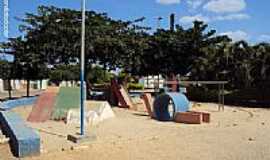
24	141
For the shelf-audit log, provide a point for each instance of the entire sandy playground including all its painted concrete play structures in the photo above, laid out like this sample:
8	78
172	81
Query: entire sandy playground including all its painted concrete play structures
144	125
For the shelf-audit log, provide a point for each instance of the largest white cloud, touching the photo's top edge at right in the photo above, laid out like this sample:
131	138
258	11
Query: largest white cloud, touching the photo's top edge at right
225	6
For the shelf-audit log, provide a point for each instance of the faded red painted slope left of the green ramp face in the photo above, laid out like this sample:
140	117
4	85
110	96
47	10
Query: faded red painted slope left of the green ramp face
43	107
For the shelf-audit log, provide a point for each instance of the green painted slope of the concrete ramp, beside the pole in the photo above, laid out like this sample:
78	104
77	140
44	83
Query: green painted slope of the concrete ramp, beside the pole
67	98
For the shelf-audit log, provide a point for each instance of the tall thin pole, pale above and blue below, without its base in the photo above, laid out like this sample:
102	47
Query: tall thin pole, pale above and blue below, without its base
82	66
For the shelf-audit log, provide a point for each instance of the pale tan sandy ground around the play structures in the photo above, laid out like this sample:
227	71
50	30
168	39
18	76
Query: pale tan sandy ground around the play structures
235	134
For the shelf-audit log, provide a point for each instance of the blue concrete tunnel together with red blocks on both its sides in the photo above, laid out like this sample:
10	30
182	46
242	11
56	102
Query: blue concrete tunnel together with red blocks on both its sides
173	106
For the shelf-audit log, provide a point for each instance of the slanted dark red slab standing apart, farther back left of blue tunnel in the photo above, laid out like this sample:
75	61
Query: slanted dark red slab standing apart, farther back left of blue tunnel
122	96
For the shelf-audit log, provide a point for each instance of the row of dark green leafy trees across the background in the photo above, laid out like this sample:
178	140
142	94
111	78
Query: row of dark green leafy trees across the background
51	46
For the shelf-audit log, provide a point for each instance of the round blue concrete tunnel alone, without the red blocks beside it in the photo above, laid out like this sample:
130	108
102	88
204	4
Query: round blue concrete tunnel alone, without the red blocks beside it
168	104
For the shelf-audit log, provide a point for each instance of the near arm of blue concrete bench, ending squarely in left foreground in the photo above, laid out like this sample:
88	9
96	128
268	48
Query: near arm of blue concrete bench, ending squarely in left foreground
24	141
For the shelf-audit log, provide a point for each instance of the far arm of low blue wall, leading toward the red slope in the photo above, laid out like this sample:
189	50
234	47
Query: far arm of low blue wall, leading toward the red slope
10	104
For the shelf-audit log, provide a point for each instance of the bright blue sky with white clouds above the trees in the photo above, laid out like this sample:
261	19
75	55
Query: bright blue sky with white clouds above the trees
240	19
